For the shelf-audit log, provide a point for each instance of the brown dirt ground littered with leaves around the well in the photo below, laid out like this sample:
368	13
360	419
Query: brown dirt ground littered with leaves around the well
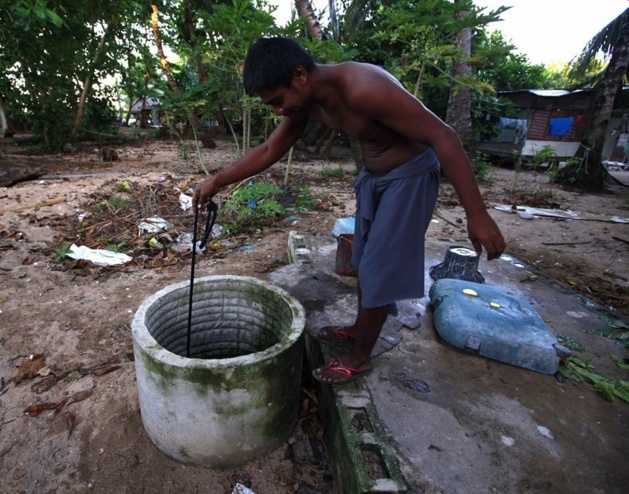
69	412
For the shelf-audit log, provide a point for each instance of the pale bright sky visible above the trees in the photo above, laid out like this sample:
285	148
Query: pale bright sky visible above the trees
546	31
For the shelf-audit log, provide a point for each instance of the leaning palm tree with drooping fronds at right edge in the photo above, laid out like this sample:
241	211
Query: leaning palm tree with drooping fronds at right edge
613	40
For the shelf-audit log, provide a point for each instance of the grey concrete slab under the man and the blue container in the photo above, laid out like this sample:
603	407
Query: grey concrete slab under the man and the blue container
456	422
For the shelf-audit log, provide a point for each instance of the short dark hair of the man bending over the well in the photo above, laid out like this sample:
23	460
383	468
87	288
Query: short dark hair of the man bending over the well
271	62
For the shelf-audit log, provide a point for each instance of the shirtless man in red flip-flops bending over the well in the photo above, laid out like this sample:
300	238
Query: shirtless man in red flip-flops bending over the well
403	145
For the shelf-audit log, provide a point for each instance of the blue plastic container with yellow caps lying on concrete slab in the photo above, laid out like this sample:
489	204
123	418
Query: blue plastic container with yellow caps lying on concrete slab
501	325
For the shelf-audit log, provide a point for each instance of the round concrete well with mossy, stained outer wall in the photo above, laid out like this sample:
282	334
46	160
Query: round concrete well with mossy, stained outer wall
236	397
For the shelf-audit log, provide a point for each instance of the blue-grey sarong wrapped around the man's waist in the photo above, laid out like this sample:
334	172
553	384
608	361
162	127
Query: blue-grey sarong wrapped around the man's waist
393	213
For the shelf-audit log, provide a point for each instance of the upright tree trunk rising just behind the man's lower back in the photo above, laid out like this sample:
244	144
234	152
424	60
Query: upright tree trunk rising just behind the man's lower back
459	114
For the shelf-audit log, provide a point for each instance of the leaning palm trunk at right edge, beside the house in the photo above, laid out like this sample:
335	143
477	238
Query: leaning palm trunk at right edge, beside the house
589	174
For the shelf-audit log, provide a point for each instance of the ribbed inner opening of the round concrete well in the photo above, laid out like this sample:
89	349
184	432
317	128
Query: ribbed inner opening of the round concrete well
229	319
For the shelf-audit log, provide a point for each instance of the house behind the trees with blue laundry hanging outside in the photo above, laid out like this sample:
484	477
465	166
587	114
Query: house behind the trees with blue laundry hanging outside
551	117
